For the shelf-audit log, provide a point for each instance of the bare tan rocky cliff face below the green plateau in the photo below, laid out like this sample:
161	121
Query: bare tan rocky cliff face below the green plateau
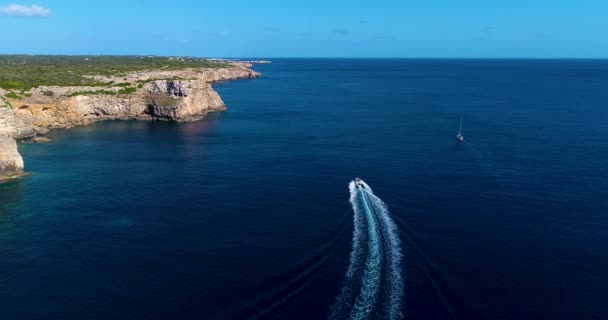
177	95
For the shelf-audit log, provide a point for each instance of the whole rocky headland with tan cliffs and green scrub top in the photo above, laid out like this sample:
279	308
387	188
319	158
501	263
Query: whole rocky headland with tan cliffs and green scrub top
42	92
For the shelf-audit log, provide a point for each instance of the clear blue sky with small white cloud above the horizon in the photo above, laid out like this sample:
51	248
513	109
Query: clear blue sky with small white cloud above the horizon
309	28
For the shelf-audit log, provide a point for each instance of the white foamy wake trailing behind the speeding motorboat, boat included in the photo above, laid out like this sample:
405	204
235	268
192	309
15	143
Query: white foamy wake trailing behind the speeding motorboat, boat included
373	285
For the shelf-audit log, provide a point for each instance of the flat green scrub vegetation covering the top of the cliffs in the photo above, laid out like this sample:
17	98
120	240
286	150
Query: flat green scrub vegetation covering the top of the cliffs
29	71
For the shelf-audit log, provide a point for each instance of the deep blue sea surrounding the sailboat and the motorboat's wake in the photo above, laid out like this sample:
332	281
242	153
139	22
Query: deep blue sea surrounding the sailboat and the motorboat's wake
246	214
